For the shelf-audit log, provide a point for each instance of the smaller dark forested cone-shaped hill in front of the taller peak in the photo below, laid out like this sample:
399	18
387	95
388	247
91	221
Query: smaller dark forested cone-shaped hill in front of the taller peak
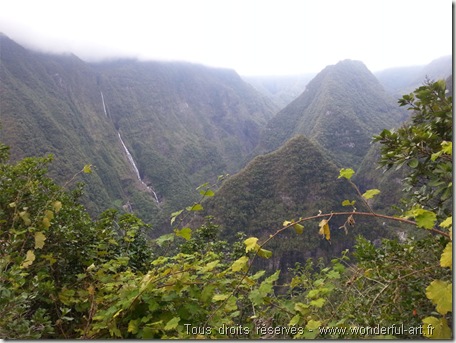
297	180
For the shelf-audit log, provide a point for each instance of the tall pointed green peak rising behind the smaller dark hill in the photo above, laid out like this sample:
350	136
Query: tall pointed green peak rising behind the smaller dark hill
341	108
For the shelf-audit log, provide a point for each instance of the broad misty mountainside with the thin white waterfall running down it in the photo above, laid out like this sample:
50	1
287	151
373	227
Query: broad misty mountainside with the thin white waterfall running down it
153	131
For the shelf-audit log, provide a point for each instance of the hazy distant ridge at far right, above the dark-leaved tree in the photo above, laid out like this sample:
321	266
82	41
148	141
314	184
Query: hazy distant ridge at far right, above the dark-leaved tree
402	80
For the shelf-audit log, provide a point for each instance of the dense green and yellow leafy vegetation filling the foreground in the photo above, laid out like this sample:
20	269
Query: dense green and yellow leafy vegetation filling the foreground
65	275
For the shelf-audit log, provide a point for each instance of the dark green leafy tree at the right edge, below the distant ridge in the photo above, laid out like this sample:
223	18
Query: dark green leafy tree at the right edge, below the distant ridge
424	144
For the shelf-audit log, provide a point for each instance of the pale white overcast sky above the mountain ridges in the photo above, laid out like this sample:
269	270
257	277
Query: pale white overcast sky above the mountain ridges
254	37
